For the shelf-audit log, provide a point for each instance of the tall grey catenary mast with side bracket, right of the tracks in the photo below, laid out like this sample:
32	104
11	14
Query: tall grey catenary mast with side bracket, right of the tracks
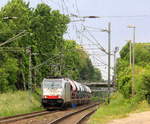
109	56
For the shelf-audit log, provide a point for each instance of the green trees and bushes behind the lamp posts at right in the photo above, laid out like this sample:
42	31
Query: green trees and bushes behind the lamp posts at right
141	85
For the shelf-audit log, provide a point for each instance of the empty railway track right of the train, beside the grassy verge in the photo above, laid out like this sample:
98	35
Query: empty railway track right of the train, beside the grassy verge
76	117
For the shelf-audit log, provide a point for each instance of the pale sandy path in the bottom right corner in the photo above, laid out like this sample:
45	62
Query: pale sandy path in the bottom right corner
136	118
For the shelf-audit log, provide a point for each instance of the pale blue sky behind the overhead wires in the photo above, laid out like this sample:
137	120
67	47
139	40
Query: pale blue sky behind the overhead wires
120	13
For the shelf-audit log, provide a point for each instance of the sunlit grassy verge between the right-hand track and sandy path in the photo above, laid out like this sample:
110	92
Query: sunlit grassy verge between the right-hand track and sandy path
118	108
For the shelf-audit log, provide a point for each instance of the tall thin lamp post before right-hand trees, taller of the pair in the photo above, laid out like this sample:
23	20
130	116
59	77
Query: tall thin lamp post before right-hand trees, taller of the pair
133	58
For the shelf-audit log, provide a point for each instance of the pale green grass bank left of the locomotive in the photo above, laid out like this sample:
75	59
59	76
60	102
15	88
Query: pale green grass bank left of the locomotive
18	102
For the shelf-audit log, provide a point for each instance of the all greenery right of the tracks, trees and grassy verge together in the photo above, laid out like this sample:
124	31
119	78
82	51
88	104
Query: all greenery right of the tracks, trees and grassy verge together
123	102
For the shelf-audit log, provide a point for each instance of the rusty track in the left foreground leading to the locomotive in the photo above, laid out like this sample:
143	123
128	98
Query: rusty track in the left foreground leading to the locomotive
5	120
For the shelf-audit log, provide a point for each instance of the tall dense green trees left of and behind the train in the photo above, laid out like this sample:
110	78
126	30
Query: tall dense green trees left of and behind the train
38	33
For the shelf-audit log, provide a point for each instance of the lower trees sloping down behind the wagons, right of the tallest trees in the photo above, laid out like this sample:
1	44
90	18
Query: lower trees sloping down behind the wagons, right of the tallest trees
77	64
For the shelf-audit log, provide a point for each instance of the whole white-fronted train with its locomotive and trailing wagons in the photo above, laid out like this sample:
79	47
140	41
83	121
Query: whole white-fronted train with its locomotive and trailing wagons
62	92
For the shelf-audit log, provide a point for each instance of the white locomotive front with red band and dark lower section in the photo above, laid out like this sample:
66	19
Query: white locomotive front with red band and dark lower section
52	93
